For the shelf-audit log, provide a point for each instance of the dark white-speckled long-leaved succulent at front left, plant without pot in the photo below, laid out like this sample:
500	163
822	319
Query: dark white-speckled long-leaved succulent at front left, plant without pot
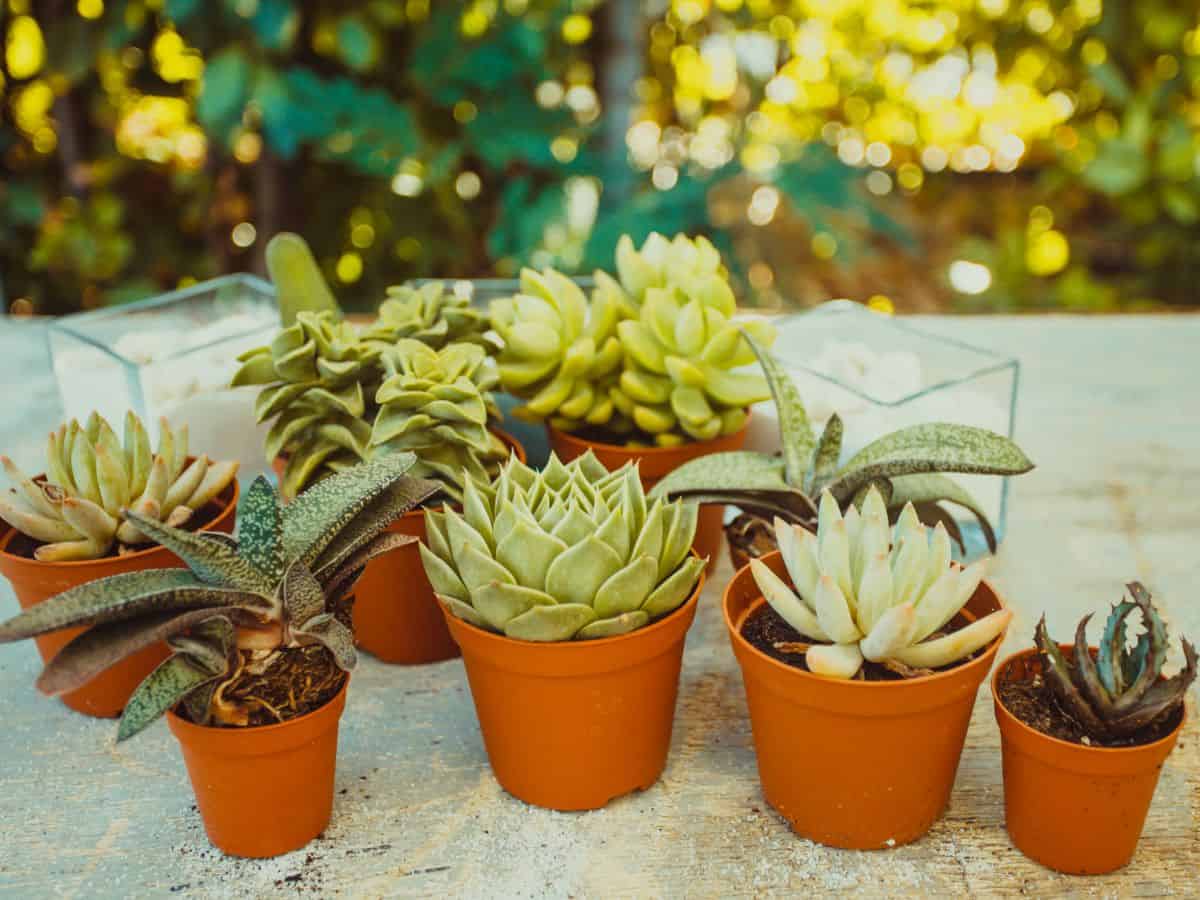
241	603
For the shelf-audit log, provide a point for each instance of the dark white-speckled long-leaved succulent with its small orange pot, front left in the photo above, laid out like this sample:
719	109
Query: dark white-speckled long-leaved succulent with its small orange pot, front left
260	646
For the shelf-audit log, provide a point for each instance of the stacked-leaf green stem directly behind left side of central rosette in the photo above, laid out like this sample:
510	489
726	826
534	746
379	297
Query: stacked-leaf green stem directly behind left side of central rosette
439	405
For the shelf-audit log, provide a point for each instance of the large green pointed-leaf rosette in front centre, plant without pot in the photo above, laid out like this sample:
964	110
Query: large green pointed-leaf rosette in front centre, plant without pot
572	553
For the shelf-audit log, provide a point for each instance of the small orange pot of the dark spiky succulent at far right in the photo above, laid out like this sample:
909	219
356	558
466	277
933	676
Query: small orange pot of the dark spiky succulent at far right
1073	808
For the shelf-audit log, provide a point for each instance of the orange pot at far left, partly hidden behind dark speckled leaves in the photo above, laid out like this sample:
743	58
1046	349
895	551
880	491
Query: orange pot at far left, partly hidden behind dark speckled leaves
34	581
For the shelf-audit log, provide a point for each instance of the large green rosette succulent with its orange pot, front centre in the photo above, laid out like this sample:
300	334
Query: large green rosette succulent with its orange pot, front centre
571	598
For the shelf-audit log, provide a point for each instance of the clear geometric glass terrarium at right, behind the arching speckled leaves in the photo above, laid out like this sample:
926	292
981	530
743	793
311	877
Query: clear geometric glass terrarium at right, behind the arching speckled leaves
880	374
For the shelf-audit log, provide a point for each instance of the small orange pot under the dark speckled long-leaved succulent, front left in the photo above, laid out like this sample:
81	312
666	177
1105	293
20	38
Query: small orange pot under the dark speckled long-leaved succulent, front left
263	791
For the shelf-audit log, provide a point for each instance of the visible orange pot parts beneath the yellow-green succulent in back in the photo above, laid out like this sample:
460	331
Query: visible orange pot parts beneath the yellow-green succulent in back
655	464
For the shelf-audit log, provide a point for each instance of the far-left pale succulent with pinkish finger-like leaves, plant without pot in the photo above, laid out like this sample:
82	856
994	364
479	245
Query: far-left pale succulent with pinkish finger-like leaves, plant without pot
79	512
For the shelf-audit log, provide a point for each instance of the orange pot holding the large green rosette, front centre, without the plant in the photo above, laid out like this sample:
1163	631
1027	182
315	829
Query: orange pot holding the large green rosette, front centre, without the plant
575	724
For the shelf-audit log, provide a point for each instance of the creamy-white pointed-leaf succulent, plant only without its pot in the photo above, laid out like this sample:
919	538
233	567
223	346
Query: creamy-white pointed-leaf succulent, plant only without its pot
862	593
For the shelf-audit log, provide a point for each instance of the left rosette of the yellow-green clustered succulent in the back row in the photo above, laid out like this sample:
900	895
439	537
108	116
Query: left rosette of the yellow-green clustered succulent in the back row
561	355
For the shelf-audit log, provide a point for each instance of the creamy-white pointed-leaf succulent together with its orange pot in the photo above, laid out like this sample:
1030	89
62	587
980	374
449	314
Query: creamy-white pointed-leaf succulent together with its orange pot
862	651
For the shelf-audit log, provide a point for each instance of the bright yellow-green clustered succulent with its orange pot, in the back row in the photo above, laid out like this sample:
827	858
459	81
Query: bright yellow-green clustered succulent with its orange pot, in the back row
645	373
